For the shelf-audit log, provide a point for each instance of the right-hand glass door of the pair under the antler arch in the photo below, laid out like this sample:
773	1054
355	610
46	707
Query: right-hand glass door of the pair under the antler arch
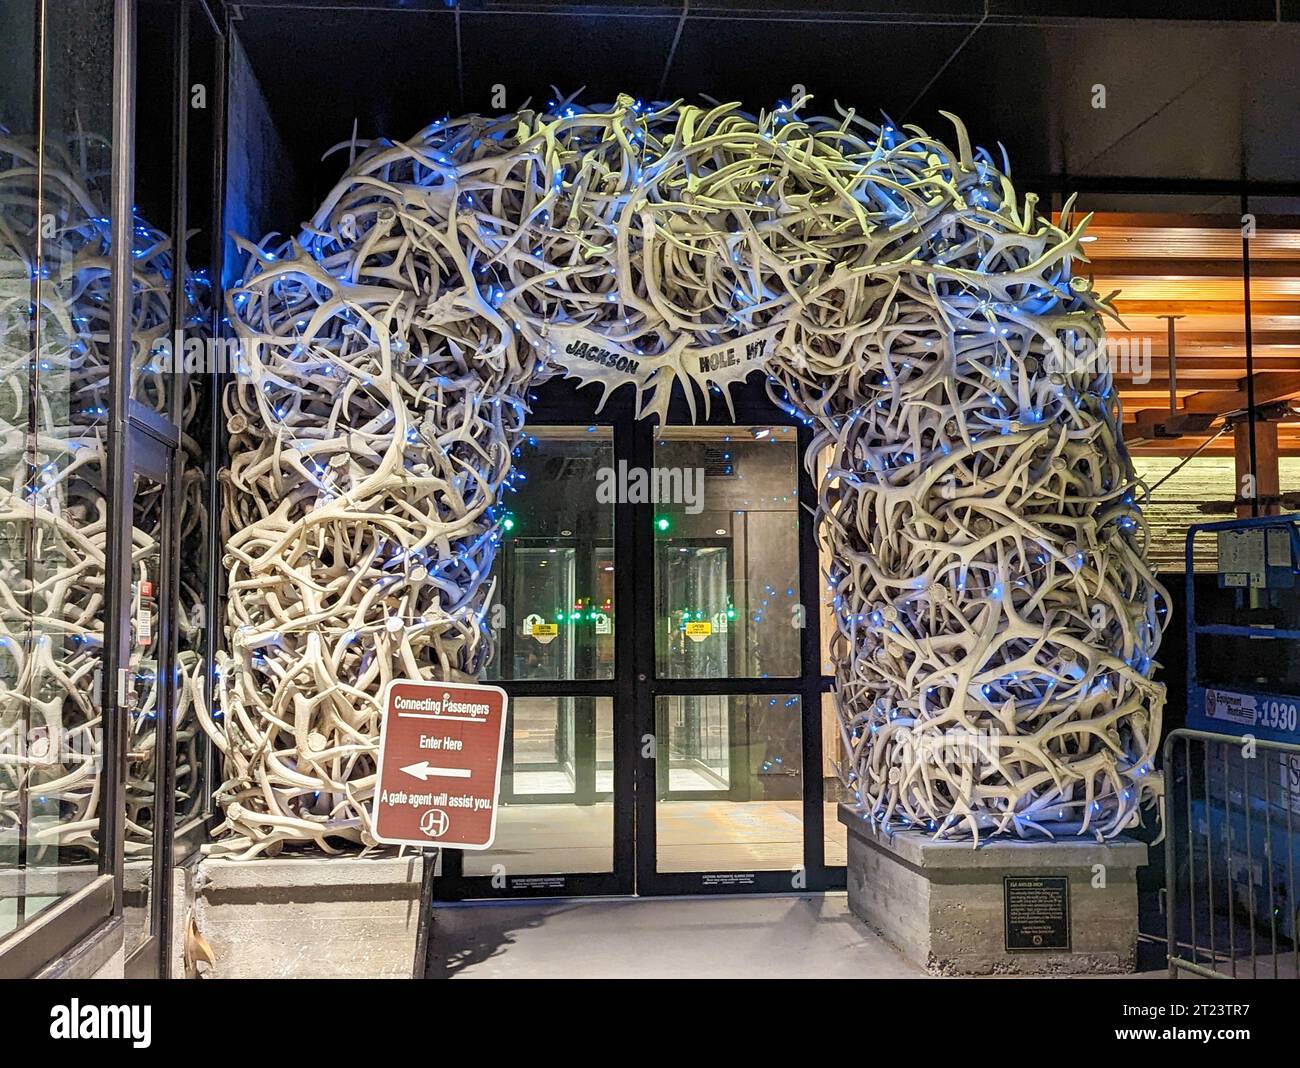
726	693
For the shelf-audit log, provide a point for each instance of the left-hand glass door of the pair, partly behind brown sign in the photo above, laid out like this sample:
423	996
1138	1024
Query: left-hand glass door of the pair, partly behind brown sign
564	827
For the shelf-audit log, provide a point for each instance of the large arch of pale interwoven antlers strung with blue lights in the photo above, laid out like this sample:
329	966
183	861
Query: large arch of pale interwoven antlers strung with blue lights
987	553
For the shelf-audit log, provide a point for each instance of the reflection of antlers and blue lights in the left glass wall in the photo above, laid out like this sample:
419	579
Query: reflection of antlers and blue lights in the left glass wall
55	353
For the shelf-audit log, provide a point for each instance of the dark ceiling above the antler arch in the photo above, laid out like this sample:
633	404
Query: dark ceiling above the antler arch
1211	95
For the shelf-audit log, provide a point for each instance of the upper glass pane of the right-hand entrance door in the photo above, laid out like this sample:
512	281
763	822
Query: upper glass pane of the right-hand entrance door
727	563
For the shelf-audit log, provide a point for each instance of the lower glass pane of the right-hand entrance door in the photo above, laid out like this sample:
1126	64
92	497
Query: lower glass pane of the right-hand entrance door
731	783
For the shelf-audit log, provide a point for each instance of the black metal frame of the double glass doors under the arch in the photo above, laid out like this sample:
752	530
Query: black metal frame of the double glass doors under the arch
635	688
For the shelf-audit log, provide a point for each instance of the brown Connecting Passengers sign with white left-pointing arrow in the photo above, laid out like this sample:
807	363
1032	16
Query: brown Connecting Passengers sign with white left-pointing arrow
440	765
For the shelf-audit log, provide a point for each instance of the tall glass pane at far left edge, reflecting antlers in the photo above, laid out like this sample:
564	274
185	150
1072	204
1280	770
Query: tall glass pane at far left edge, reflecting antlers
55	285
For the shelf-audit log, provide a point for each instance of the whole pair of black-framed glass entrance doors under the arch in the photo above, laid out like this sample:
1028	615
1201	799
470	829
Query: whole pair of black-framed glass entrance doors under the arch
653	632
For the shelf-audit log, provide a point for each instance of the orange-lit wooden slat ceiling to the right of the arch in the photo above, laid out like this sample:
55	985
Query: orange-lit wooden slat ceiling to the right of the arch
1191	267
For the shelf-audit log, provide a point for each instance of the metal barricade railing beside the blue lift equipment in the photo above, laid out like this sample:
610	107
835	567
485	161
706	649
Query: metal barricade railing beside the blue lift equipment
1233	840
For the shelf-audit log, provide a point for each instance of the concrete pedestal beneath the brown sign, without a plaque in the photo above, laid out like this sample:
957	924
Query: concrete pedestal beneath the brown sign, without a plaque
305	918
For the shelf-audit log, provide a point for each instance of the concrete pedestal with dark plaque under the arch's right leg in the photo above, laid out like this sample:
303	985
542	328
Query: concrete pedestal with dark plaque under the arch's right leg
944	905
